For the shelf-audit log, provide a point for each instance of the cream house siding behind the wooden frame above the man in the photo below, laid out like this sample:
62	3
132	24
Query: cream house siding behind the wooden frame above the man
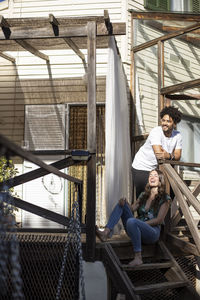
175	72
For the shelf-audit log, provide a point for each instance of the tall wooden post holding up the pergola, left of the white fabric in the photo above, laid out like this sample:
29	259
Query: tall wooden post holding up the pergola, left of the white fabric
91	144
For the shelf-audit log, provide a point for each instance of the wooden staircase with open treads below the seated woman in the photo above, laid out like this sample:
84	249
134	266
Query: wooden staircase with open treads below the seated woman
120	275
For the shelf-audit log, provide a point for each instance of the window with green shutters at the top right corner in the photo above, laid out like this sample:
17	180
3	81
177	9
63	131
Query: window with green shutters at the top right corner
173	5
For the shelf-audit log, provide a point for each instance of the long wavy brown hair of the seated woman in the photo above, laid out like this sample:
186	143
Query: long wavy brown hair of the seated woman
161	191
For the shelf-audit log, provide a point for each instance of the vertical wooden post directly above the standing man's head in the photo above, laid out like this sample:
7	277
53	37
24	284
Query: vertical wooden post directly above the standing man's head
160	77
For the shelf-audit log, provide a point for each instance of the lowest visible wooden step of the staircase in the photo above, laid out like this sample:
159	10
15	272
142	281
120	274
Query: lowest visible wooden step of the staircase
148	288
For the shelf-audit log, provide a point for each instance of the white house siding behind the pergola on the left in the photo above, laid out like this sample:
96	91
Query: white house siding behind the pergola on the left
63	63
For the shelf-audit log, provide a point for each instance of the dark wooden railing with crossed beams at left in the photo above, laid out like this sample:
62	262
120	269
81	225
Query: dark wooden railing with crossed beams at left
8	149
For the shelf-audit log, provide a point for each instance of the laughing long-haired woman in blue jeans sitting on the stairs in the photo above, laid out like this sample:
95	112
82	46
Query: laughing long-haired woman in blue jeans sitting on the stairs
151	206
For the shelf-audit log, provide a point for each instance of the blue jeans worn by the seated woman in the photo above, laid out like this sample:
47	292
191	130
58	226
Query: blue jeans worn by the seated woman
136	229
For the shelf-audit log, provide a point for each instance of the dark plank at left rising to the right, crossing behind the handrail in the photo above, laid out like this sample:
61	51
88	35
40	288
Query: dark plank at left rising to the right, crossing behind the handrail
61	164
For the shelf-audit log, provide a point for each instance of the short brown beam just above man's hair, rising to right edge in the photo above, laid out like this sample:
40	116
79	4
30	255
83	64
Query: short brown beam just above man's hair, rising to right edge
180	86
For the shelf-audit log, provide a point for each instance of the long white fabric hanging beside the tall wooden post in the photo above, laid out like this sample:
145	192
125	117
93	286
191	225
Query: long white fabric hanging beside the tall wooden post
118	150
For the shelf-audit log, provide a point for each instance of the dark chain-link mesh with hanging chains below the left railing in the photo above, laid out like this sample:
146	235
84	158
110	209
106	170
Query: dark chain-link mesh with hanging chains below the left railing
40	265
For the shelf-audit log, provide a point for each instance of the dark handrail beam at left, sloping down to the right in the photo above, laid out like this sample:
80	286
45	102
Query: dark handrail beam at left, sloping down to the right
8	147
